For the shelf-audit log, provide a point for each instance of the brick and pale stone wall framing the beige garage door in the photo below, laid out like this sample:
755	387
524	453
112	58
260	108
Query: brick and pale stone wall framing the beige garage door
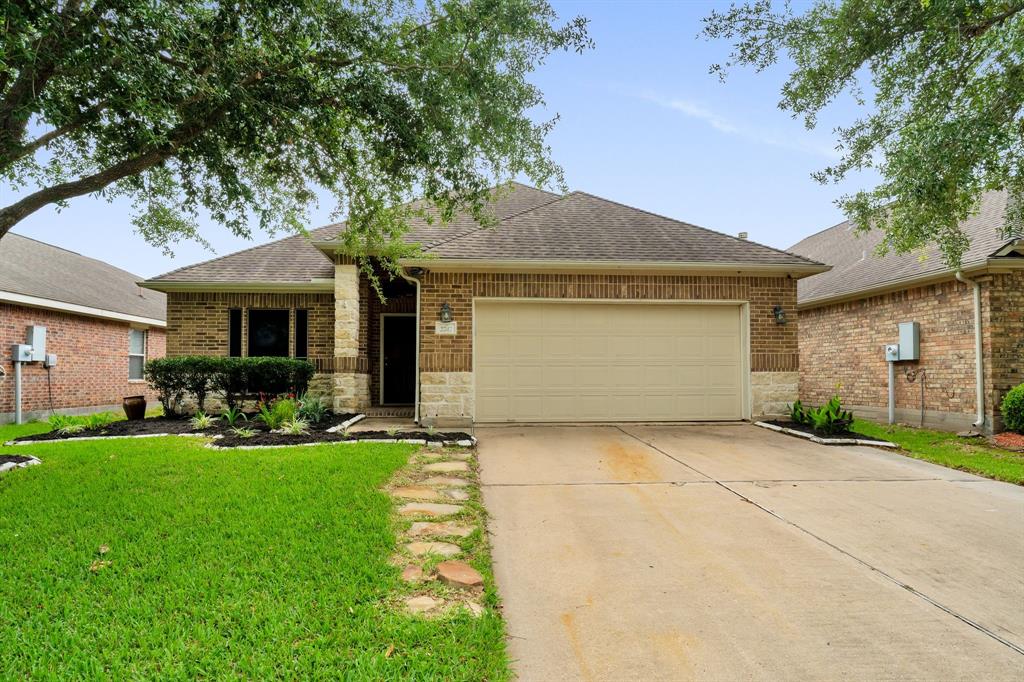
448	365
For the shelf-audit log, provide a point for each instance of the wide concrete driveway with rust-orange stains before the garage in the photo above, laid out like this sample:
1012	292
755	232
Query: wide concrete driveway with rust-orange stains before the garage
730	552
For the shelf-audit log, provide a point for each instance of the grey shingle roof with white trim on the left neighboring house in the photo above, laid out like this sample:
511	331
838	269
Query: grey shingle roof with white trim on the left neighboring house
40	275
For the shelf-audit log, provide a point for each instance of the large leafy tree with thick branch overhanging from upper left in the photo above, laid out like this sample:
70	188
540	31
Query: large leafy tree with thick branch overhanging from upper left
244	110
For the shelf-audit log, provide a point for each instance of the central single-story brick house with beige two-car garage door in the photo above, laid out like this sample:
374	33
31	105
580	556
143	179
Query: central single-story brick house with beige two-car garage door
572	309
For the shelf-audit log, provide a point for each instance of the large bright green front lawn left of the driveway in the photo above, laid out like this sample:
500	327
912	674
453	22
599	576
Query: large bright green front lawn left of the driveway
251	565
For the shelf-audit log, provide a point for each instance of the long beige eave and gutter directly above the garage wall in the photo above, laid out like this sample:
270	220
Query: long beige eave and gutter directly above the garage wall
796	271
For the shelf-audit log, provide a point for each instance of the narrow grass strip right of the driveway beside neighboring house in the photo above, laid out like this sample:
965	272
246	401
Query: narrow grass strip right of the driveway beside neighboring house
973	455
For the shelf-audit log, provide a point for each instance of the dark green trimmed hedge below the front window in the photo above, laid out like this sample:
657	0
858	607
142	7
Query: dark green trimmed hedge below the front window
173	378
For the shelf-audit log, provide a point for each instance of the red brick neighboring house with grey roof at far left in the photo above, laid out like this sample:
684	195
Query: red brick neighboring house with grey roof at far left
100	323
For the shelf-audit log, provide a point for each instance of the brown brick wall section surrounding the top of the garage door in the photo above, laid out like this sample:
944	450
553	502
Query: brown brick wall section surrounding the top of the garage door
774	348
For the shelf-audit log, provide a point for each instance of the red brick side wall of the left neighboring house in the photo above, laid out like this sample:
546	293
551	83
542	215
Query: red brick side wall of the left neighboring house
93	362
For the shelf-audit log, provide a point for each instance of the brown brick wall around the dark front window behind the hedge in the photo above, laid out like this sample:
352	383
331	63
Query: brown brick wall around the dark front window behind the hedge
197	322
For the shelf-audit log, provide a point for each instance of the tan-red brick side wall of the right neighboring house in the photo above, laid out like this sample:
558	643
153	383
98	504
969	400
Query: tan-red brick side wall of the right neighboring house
843	345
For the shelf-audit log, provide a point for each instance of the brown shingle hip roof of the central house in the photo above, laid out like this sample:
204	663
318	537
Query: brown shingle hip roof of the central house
533	227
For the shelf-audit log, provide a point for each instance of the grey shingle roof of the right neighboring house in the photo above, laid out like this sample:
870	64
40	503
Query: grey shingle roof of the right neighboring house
858	269
